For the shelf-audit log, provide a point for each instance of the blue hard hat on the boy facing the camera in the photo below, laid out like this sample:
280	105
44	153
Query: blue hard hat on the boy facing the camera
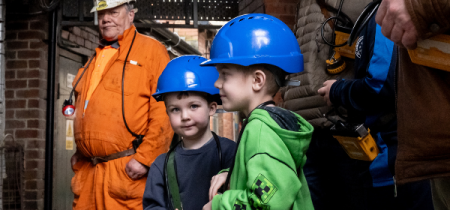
185	74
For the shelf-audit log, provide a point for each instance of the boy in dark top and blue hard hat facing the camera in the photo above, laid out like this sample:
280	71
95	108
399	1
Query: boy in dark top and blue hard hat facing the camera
190	98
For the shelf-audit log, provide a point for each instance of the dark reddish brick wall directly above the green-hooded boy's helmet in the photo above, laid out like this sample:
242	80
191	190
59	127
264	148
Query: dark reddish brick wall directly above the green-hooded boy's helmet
282	9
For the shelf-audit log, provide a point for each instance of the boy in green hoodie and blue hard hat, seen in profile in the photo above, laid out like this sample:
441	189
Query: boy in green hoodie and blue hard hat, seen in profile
253	53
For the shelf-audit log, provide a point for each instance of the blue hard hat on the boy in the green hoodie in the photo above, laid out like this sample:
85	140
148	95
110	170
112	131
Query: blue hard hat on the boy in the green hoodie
257	39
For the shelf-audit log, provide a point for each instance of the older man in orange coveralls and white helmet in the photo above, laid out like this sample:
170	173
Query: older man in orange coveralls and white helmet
109	172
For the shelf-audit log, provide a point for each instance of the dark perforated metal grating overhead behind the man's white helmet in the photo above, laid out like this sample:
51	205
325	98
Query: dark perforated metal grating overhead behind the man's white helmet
208	10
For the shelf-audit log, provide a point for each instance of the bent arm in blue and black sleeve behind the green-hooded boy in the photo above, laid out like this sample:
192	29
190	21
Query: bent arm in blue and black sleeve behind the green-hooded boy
375	91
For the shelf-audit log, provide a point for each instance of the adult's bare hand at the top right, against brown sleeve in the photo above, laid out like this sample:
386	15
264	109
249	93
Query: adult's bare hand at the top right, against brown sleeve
396	23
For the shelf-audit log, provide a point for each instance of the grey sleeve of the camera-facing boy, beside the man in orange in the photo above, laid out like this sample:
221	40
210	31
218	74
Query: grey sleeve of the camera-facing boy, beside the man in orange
154	194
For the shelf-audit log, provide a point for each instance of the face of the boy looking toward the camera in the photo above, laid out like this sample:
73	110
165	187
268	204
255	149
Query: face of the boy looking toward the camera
189	115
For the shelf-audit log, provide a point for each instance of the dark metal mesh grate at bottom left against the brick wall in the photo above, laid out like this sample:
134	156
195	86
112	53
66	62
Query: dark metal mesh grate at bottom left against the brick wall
11	170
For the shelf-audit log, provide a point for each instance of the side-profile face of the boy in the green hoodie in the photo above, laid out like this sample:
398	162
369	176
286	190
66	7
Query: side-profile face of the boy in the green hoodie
235	87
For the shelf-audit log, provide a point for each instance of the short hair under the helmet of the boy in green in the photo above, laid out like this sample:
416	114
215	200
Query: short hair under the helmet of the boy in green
275	76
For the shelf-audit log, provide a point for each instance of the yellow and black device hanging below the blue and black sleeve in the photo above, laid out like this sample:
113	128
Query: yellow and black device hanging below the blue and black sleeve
356	140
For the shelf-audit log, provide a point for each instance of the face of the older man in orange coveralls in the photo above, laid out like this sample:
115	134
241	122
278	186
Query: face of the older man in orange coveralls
113	22
